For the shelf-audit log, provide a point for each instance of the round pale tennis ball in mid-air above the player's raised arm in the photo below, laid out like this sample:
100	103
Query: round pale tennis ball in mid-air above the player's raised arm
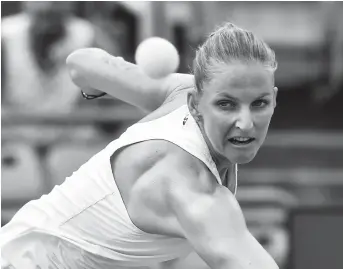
157	57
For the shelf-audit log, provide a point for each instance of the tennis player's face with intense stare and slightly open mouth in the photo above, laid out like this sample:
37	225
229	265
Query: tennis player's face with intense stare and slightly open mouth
235	110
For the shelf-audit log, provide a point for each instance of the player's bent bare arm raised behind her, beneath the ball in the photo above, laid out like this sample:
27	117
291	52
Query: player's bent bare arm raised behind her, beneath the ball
95	71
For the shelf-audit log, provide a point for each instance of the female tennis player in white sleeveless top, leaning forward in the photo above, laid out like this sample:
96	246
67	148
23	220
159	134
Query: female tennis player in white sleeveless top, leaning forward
166	186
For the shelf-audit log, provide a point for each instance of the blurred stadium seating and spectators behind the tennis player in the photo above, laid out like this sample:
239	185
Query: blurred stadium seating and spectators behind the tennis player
291	193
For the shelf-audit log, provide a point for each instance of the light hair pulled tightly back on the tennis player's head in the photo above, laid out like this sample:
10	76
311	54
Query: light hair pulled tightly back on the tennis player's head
228	44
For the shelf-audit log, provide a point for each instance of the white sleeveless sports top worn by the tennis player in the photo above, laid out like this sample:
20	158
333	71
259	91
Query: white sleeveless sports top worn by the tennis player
83	223
